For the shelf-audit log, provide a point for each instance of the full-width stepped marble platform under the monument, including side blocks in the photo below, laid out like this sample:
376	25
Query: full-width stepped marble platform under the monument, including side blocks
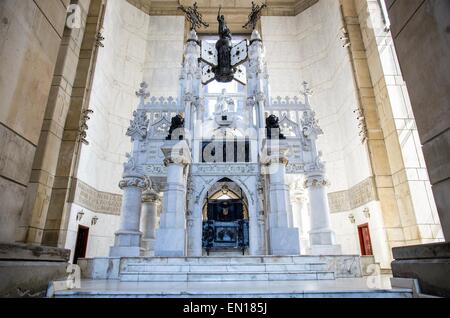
222	269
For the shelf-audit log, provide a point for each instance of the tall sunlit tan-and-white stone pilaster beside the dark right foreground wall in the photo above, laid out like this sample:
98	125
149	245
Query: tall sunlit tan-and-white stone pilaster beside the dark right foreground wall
417	208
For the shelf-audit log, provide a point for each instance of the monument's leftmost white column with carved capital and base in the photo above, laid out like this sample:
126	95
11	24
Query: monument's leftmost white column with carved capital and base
128	238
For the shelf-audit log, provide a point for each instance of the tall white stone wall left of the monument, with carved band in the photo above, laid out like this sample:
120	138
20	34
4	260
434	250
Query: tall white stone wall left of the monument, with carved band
137	47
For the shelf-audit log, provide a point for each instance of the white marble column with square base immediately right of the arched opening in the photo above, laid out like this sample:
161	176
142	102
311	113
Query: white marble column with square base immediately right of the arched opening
284	240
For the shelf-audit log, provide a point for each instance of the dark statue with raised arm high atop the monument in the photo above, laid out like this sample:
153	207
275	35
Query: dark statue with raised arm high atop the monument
224	72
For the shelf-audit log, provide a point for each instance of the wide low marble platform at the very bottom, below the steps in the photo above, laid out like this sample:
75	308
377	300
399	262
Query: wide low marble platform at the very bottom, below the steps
338	288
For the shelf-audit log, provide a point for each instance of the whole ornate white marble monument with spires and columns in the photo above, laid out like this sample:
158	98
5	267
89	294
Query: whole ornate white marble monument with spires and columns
231	157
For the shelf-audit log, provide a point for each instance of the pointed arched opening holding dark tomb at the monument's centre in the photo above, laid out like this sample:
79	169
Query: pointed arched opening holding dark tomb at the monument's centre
225	218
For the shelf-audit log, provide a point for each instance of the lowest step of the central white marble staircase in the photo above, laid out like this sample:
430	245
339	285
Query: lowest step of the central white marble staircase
225	276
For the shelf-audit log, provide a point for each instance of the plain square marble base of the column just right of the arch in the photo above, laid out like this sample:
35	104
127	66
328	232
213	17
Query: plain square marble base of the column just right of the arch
284	241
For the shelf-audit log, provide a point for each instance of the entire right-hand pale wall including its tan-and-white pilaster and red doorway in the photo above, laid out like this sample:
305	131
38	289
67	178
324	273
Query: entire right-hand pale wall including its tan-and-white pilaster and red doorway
366	75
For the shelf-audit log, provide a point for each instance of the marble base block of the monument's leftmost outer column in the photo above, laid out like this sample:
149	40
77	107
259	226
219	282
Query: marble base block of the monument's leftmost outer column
127	244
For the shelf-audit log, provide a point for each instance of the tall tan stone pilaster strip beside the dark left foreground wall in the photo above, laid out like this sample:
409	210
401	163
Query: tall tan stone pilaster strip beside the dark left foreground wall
35	209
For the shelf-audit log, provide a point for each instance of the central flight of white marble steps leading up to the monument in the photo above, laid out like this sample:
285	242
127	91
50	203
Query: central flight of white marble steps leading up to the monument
223	269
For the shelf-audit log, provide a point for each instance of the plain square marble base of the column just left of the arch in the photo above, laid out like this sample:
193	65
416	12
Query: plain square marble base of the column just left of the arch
170	242
